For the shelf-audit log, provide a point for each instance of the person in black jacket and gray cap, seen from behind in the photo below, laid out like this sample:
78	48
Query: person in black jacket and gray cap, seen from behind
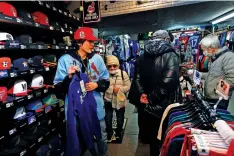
157	81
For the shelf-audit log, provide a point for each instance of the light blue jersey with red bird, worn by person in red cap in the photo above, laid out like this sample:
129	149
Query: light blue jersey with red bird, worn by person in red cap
96	70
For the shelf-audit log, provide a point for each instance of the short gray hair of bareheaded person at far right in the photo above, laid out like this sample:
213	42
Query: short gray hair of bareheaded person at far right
211	41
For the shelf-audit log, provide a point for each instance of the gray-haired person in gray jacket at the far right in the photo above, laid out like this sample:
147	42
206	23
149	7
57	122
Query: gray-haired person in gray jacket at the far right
222	67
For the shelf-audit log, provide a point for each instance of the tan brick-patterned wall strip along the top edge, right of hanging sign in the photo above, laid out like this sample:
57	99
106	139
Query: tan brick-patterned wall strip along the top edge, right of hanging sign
111	8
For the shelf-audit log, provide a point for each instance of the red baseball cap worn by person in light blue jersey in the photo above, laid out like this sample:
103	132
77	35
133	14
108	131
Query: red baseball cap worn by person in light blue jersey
85	33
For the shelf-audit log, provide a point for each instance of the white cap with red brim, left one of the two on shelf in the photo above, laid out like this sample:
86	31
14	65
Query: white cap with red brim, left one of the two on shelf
18	88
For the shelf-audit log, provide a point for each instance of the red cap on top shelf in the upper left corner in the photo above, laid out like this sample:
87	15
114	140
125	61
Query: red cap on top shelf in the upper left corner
8	9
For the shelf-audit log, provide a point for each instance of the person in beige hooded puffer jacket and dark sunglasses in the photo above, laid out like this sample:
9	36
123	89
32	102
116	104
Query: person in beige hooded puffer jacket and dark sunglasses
119	82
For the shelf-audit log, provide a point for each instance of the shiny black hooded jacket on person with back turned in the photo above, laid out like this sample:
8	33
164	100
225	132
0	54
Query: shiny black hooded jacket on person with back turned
157	76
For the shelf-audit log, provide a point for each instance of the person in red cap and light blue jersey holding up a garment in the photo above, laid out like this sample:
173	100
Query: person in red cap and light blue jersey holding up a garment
92	64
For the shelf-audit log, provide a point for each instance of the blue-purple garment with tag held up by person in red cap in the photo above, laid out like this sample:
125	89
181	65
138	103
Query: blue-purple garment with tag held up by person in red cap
81	111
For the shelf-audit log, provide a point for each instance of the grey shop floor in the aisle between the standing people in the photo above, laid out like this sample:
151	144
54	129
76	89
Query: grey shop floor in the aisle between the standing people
130	145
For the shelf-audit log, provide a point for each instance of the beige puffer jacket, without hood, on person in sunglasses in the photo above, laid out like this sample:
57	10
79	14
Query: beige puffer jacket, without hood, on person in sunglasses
116	80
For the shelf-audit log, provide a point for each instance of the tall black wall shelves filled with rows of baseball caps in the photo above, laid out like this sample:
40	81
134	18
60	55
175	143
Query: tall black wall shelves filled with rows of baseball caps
33	35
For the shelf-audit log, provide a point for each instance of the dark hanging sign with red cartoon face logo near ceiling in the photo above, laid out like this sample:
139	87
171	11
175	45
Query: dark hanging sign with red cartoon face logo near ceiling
91	12
